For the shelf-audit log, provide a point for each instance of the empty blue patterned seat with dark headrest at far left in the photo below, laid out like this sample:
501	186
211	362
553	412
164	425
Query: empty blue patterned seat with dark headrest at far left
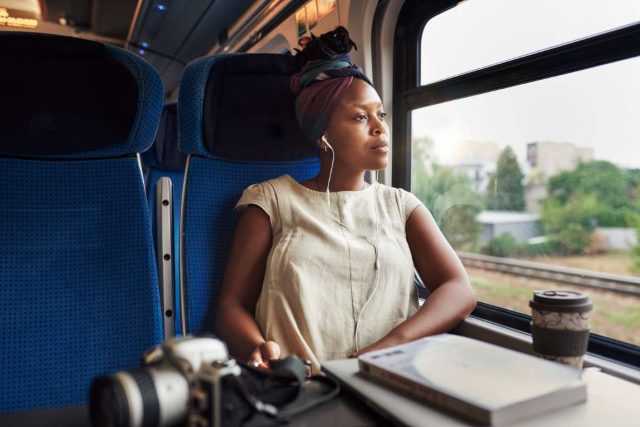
78	281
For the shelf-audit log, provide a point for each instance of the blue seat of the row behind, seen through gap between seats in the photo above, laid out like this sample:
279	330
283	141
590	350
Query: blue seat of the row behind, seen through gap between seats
164	159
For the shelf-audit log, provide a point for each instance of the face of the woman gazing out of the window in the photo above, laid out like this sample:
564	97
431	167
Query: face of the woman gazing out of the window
357	130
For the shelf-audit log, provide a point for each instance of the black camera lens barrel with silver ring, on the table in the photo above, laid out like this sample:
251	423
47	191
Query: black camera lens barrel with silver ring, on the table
124	399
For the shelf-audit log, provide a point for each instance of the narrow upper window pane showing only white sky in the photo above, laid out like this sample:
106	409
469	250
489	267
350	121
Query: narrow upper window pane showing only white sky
473	34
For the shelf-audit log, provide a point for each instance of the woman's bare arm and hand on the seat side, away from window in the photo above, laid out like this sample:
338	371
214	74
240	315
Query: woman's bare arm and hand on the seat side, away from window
241	286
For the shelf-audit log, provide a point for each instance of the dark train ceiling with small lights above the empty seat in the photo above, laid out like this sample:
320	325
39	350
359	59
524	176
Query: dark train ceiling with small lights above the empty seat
167	33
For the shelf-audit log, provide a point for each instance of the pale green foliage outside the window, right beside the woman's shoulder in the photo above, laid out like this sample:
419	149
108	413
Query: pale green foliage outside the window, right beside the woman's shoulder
448	195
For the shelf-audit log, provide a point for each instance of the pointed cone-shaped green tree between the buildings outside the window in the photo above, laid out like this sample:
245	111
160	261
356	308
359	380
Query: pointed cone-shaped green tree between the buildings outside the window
505	190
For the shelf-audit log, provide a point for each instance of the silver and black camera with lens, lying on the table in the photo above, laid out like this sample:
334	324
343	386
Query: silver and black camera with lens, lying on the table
185	381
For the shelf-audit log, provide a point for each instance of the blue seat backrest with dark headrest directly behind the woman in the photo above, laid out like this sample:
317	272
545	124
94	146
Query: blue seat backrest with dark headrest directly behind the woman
236	121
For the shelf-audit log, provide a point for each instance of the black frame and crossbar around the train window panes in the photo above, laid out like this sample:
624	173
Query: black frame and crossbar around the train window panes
599	49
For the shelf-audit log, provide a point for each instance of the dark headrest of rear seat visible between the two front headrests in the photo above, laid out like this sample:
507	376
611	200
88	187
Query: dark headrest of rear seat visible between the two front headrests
164	154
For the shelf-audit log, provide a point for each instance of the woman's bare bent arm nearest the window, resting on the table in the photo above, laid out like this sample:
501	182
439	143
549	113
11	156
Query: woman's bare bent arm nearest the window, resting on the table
451	298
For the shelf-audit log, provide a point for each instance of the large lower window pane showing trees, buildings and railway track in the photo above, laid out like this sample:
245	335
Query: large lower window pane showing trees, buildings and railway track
547	172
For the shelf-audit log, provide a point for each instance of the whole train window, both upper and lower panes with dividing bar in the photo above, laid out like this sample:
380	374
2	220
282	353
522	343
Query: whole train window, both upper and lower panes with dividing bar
529	166
